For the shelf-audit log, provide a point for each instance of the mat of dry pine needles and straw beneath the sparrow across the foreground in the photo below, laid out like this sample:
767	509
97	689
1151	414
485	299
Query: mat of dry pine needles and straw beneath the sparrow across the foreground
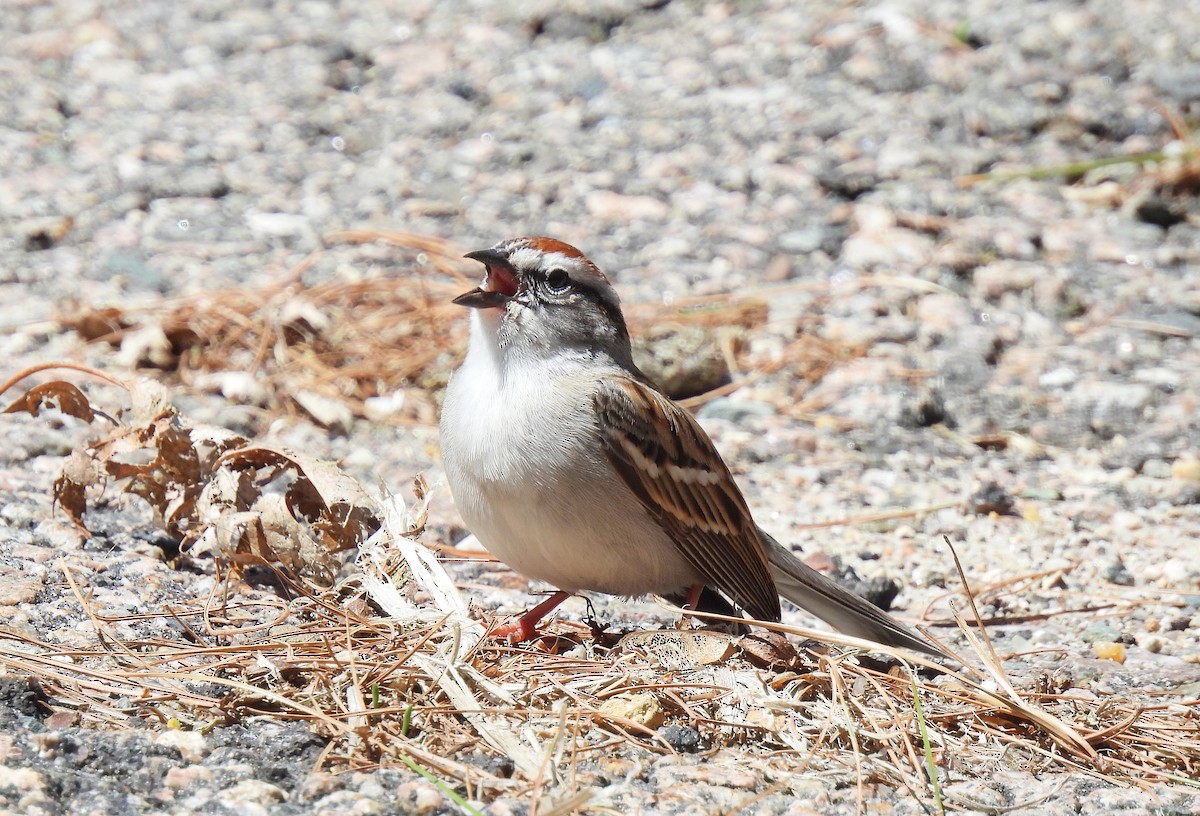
422	683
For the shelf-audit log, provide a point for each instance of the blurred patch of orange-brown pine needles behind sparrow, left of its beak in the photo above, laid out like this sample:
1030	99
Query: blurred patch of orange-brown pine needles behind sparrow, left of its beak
371	347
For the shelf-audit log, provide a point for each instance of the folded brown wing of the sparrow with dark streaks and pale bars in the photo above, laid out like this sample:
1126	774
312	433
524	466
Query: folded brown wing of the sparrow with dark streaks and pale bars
674	469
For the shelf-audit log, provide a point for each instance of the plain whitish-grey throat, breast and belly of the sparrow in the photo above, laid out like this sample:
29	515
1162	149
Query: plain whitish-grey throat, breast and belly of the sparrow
521	457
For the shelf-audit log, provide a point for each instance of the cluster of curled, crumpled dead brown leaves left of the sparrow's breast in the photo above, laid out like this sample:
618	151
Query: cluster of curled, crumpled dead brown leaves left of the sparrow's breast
209	488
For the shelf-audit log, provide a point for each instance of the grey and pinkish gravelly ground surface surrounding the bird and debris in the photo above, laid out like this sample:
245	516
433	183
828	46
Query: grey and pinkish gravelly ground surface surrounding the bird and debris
807	152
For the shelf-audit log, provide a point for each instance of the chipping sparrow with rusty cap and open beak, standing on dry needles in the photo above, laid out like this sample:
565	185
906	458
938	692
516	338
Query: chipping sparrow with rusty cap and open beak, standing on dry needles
573	469
